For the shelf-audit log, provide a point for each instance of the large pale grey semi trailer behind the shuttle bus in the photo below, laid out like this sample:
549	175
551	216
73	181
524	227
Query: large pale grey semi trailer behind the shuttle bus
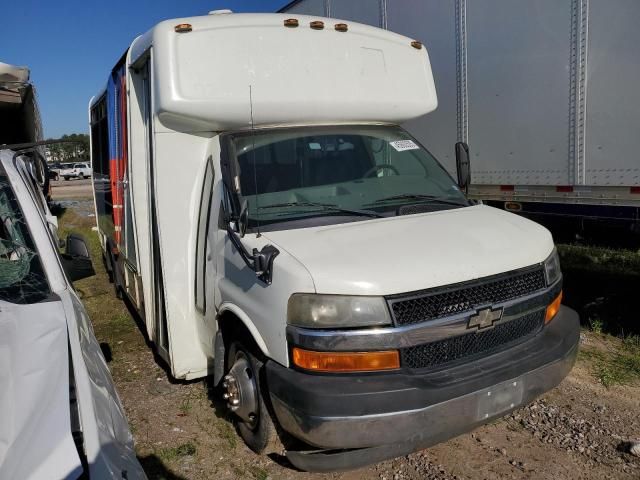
544	92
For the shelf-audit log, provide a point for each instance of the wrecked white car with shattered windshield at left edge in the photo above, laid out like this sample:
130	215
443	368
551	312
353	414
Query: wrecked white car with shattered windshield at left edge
60	416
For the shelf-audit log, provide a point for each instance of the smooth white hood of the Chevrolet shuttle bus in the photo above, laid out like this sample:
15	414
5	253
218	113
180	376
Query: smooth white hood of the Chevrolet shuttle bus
415	252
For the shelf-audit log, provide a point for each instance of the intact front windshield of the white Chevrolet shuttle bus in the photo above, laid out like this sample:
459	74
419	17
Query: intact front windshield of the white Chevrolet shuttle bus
322	175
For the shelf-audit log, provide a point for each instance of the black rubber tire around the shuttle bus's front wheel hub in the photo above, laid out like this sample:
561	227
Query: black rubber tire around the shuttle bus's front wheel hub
261	435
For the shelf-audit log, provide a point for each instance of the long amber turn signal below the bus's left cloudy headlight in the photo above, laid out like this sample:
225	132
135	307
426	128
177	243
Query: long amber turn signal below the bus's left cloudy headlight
346	361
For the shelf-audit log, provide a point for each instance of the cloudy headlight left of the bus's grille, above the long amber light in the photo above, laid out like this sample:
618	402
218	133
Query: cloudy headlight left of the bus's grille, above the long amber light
336	311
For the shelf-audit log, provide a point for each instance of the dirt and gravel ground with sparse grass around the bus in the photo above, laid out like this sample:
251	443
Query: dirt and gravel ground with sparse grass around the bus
577	431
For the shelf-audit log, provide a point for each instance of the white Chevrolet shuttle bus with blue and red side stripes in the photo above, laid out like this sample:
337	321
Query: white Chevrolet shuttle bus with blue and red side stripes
275	228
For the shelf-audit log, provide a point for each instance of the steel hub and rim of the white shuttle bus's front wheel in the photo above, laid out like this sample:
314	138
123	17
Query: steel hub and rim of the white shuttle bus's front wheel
240	390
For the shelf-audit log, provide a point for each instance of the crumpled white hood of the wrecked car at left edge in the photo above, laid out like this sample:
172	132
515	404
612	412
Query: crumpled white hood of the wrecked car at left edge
35	423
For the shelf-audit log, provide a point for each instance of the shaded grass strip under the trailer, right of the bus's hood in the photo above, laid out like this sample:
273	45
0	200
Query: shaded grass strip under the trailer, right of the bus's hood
599	259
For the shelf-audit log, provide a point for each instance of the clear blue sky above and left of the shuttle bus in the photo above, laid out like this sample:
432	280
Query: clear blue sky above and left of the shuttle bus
71	45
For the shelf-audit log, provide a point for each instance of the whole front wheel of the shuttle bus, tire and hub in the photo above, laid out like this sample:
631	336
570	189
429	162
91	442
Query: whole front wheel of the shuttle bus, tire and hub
244	390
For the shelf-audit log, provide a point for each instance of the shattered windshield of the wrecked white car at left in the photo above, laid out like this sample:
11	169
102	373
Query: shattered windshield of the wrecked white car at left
22	279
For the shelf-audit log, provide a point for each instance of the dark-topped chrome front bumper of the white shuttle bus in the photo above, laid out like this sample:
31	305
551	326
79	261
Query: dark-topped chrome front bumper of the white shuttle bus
394	414
